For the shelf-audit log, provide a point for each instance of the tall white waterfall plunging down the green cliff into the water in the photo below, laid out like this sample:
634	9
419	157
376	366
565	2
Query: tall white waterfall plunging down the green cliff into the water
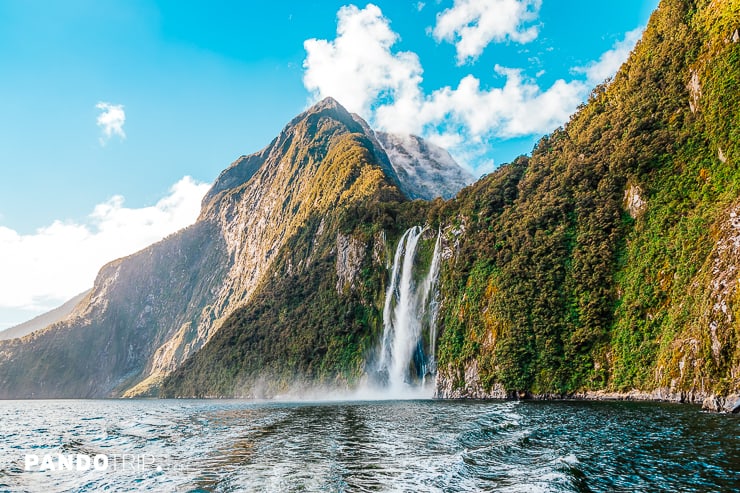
405	357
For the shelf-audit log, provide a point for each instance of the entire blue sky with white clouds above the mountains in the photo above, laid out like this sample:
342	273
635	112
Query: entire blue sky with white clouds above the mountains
105	107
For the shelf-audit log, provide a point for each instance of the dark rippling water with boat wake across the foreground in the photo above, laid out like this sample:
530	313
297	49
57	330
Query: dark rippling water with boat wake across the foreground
370	446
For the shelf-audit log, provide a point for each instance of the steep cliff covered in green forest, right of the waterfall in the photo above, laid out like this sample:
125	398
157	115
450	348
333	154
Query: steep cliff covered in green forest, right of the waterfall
608	261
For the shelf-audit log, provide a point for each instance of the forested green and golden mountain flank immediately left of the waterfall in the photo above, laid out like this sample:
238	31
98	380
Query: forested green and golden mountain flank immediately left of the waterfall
318	314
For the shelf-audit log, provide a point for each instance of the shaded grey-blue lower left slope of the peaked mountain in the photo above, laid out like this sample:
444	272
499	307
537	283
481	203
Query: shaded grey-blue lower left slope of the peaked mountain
137	304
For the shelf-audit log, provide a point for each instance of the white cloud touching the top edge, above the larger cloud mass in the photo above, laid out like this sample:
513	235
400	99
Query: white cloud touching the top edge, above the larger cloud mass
471	25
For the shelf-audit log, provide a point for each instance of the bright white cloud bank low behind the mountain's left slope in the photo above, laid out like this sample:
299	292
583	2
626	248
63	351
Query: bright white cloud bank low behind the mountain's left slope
44	269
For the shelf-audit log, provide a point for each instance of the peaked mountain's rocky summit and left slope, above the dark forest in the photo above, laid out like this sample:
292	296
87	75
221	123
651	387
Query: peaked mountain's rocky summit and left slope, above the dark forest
149	312
